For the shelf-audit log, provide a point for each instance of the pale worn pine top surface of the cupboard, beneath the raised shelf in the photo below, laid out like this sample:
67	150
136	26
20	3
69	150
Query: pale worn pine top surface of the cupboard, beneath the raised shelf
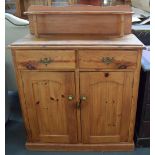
76	41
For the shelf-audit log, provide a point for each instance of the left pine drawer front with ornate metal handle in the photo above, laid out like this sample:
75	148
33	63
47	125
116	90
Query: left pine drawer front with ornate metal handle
45	59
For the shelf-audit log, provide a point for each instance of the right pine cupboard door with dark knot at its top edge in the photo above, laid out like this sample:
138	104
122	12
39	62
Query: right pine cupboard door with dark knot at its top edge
105	114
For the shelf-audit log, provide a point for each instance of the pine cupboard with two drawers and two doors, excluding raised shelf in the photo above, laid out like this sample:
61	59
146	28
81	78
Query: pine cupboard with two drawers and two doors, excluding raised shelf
78	94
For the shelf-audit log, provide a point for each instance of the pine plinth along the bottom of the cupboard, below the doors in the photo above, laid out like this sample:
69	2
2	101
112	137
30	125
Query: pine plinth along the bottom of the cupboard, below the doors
80	147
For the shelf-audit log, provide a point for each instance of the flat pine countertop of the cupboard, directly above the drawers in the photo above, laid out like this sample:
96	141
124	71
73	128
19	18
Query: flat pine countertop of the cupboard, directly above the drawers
29	40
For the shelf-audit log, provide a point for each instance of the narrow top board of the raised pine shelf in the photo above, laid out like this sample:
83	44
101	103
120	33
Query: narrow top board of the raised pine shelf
79	9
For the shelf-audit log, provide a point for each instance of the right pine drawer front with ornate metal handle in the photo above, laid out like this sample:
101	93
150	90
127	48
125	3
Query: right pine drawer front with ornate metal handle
108	59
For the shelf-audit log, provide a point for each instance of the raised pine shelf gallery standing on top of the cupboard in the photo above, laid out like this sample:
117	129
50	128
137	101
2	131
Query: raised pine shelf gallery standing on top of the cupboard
108	21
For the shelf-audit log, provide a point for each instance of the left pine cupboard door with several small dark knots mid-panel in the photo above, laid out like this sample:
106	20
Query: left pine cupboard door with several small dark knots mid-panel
51	109
